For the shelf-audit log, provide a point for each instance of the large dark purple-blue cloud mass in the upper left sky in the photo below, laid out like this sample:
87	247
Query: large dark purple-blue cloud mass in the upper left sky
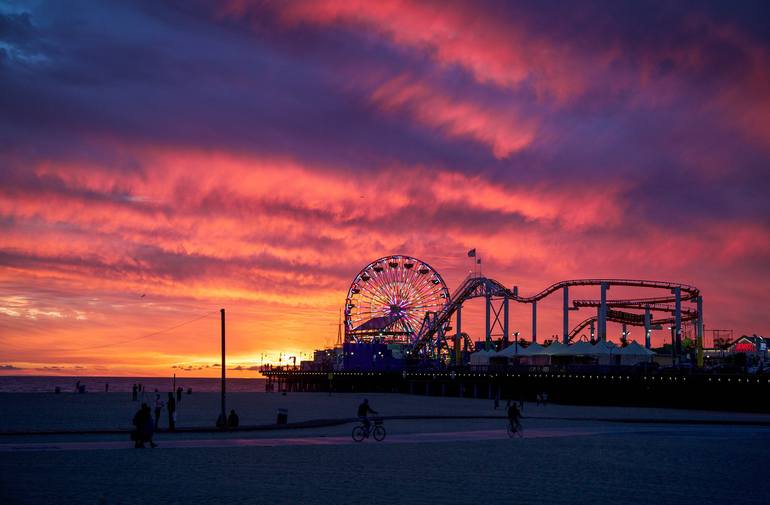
173	80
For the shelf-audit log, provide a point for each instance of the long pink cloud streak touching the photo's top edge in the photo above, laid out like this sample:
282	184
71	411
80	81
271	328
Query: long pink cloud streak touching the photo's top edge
495	50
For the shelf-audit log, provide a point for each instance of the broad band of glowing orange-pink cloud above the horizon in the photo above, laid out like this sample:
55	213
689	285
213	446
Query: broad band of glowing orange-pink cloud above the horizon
276	242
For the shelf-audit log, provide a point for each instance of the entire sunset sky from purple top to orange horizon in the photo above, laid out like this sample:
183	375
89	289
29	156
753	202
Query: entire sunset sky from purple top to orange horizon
160	160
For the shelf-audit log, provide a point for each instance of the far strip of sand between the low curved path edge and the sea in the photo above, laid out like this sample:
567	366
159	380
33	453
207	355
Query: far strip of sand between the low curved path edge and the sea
113	411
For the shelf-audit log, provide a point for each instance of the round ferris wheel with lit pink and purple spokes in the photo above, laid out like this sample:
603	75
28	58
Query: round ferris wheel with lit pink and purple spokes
388	299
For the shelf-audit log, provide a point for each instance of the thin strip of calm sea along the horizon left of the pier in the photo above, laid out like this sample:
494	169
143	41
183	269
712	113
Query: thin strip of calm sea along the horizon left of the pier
47	384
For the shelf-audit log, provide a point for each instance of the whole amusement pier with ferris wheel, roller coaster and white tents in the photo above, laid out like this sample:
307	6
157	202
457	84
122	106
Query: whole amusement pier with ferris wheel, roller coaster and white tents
403	332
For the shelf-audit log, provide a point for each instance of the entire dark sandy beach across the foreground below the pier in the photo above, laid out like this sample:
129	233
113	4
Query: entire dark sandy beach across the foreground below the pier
421	461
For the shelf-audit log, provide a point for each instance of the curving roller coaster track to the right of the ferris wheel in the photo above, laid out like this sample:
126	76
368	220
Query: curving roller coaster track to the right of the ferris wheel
475	286
